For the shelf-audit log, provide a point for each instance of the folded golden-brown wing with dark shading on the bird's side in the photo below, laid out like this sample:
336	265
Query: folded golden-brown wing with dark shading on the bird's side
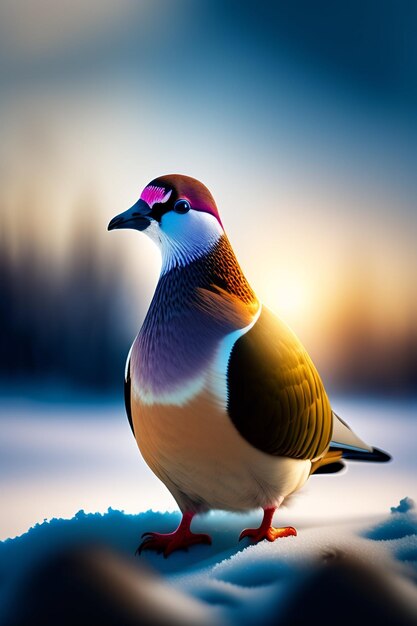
276	399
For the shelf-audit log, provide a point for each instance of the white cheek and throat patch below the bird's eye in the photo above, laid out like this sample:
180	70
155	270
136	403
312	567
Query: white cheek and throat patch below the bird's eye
183	238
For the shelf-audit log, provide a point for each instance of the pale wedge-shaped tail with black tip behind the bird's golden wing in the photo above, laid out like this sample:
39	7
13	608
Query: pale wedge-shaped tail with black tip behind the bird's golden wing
351	446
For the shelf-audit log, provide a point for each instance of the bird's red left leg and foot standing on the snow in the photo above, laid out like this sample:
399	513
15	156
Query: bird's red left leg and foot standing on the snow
180	539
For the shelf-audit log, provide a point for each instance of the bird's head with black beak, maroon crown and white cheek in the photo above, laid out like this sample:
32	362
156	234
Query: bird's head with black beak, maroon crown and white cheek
179	214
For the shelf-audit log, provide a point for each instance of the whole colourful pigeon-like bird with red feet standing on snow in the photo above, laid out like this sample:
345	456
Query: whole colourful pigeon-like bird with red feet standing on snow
225	403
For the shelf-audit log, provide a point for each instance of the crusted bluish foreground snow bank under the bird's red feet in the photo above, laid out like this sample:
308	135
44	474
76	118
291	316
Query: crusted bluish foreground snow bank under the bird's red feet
240	582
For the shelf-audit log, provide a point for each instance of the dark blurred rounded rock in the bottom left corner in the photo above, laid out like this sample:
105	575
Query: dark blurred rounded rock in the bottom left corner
96	586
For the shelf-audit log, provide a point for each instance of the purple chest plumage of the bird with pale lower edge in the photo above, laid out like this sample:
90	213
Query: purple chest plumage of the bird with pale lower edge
184	343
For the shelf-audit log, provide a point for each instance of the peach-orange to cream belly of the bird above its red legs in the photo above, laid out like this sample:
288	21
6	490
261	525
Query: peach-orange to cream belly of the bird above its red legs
204	461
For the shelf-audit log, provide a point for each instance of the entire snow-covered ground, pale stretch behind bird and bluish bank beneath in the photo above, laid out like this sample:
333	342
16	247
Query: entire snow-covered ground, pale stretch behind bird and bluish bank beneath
58	459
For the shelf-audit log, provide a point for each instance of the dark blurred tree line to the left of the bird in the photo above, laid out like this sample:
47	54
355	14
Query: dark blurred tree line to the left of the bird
62	323
